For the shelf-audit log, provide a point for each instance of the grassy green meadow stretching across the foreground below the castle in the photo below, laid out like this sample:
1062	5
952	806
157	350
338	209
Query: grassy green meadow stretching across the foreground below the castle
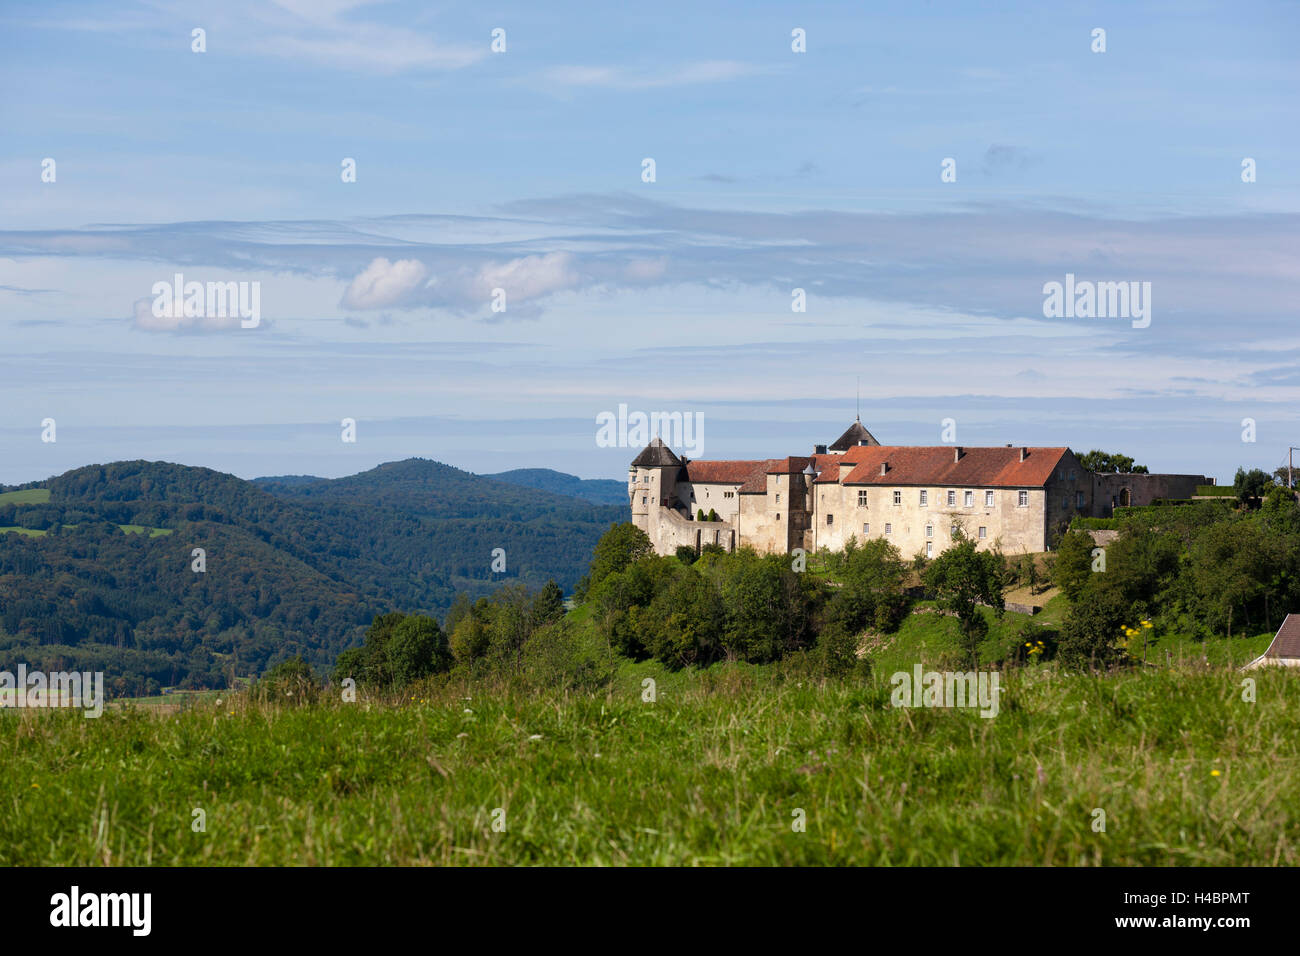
723	767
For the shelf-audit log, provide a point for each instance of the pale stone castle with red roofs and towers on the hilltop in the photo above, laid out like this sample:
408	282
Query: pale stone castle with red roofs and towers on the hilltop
916	498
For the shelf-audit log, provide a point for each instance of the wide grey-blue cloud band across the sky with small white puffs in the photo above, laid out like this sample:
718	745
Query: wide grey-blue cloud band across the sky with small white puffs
983	259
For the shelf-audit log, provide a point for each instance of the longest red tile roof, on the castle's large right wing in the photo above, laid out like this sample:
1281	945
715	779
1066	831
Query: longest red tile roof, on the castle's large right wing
978	468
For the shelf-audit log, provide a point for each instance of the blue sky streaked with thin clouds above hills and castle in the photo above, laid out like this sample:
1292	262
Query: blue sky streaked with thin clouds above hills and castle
523	171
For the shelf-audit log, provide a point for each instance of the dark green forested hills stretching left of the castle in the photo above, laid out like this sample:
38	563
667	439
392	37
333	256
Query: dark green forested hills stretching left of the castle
293	564
